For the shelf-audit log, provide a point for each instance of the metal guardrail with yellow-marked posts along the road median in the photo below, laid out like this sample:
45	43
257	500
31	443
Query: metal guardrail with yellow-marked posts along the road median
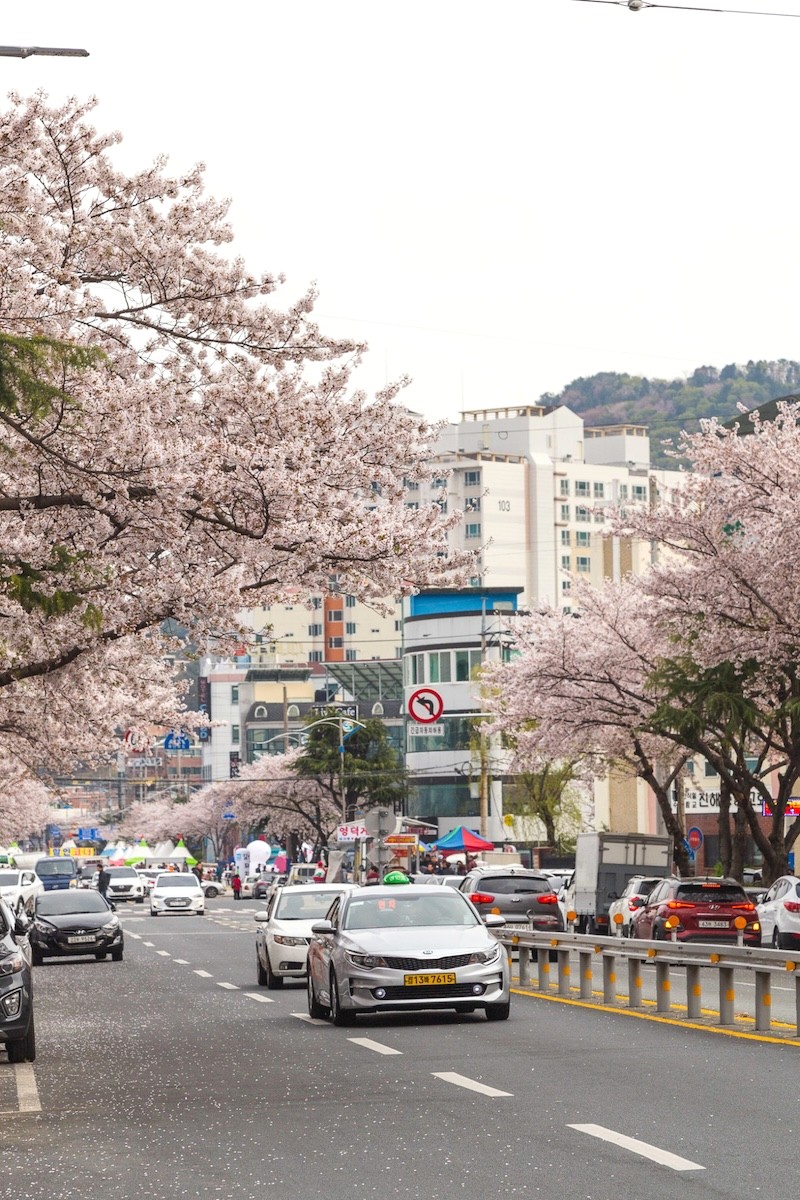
693	958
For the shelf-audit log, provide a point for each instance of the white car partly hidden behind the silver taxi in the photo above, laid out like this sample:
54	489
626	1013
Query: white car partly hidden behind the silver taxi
285	931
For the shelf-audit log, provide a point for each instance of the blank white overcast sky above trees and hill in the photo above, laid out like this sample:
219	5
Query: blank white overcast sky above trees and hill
497	197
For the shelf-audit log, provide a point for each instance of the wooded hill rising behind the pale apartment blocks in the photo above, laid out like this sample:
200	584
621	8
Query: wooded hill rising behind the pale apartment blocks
671	406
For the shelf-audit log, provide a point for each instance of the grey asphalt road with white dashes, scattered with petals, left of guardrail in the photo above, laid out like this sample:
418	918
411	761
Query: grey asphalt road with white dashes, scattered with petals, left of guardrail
173	1075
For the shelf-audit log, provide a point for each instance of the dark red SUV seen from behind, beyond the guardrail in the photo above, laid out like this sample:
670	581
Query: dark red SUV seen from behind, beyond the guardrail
706	909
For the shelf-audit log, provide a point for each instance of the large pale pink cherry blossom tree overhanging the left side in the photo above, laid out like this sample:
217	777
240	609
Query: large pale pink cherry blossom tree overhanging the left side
175	443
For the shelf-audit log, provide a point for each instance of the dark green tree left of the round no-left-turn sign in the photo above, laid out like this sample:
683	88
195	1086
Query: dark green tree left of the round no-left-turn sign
369	772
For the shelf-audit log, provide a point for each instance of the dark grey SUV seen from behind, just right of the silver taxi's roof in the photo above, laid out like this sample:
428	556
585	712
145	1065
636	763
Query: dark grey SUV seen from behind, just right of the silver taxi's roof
524	897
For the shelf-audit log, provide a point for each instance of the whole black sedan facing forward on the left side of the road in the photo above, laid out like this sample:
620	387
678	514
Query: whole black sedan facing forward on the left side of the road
75	922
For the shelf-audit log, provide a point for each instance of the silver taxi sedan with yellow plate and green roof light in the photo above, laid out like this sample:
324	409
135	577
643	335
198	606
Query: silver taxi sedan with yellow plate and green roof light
393	947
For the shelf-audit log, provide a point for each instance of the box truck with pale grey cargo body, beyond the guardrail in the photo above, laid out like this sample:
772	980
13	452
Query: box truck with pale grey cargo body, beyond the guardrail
604	865
